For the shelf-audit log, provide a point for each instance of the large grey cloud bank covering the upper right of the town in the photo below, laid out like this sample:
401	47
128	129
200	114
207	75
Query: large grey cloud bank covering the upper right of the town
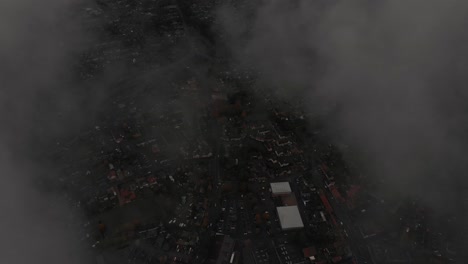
393	73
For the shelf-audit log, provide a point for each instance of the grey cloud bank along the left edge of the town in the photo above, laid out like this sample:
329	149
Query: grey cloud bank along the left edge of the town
38	40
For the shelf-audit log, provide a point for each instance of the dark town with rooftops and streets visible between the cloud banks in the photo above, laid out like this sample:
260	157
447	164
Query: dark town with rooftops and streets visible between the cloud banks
192	157
